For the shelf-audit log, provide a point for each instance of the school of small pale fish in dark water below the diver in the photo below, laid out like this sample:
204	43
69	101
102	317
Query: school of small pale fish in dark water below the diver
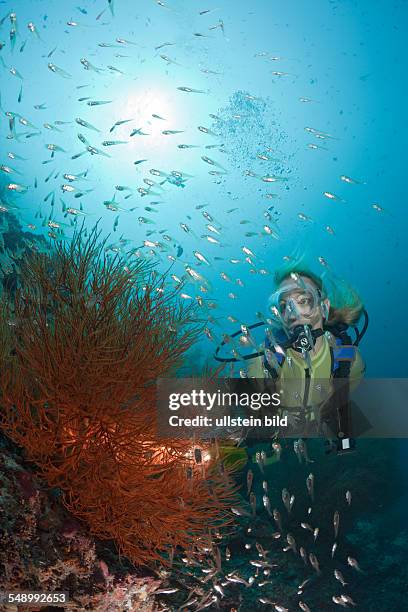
255	565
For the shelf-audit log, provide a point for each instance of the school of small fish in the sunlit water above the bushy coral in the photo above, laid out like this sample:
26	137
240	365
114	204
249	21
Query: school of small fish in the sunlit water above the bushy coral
81	146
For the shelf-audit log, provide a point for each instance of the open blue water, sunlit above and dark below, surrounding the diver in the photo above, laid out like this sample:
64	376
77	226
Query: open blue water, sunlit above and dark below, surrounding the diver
220	140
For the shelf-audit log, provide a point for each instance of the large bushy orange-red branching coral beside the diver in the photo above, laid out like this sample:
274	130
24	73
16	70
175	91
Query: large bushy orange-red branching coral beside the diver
82	347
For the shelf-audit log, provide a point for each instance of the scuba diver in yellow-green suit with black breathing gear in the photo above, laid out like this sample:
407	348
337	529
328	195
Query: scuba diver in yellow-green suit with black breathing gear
310	358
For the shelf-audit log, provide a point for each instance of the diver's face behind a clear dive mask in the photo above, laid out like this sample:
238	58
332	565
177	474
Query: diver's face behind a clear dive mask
300	305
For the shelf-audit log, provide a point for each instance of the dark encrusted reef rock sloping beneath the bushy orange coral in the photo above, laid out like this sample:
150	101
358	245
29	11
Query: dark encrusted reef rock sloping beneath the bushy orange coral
43	548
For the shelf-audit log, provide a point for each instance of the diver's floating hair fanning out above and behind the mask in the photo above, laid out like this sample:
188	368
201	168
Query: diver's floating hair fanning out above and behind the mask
346	305
